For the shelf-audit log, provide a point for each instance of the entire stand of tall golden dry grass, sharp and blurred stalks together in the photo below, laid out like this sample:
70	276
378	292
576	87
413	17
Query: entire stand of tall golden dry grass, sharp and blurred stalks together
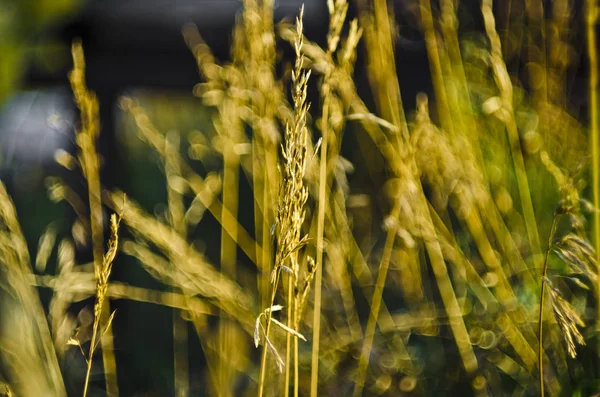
363	246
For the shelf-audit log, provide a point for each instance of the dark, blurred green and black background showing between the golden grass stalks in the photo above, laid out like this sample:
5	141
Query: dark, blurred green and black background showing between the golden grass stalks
136	49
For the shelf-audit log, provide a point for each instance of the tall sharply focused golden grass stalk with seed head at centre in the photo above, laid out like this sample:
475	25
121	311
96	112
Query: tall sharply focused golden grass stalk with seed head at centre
289	220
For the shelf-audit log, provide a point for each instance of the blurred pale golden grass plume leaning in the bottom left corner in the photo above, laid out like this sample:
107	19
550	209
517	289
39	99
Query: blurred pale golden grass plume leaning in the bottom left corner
28	355
